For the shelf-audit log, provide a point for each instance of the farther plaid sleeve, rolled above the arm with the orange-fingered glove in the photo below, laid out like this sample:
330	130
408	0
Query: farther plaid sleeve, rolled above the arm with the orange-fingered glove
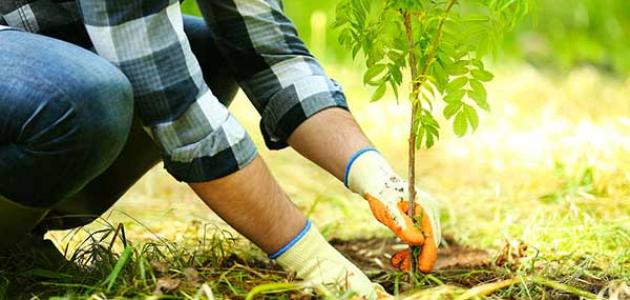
286	84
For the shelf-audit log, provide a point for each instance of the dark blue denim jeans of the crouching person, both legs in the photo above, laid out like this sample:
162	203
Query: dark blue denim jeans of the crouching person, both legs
65	115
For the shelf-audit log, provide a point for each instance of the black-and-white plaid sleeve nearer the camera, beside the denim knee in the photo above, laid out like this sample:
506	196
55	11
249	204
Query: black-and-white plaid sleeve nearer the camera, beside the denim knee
200	140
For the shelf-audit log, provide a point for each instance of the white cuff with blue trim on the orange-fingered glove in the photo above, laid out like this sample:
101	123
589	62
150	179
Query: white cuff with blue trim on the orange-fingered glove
367	171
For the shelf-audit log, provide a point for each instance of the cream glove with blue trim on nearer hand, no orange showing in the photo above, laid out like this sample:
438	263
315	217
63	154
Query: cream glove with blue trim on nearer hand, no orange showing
315	261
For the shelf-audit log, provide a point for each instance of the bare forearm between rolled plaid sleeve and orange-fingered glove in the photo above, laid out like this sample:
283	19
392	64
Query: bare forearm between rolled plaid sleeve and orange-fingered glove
329	139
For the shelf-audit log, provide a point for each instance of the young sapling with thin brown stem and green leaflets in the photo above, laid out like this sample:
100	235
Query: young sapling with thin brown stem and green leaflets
441	44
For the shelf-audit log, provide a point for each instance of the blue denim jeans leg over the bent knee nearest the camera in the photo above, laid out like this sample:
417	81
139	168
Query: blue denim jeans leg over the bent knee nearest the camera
64	117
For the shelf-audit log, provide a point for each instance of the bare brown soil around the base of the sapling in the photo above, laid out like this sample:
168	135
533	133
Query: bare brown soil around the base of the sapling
458	265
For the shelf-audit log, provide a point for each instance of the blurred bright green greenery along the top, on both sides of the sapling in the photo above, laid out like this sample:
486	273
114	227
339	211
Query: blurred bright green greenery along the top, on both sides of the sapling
559	35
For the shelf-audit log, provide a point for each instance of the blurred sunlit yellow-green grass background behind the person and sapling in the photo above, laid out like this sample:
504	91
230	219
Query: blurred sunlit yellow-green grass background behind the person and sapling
550	165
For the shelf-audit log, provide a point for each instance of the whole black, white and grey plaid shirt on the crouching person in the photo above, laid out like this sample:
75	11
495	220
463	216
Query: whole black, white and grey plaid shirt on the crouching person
199	138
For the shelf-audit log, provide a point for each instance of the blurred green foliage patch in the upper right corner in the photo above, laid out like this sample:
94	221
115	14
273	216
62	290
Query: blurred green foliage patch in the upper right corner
569	33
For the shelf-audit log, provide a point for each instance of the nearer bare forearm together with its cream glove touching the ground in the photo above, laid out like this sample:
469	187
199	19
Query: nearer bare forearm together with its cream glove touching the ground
253	203
